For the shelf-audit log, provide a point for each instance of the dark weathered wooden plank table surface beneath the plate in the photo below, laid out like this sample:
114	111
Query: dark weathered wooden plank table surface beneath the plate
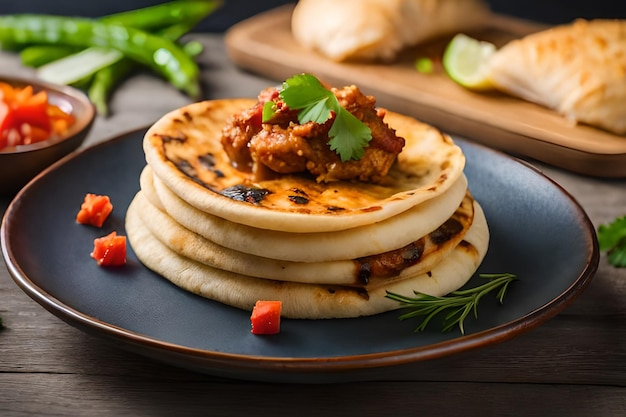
573	365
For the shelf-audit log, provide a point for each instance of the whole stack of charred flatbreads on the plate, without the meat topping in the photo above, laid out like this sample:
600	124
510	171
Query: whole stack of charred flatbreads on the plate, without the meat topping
326	250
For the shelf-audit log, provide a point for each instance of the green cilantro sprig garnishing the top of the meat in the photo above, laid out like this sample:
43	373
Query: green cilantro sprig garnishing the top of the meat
348	135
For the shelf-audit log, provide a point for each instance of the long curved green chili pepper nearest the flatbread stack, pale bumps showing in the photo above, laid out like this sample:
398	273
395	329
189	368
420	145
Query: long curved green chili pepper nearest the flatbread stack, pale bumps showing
158	53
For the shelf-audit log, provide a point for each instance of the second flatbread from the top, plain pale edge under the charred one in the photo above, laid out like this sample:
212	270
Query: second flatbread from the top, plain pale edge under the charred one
351	243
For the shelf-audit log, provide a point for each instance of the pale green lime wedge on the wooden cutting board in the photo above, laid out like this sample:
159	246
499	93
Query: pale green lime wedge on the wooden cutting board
466	61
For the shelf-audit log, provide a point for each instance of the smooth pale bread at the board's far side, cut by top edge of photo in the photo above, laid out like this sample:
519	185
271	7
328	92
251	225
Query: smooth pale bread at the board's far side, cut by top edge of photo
378	29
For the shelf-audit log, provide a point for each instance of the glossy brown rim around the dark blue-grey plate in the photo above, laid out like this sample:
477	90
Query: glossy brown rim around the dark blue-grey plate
214	361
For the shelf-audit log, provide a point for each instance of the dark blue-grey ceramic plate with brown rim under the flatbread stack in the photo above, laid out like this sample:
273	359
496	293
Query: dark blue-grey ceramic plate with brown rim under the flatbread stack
538	232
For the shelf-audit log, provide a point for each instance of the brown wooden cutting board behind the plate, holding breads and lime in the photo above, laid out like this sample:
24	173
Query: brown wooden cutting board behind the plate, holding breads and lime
263	44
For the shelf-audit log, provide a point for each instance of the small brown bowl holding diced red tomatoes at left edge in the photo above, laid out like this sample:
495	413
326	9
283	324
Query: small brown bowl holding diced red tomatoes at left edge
19	164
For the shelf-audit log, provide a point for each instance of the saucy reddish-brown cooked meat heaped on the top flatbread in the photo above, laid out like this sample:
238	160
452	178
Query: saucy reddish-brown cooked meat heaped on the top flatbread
284	146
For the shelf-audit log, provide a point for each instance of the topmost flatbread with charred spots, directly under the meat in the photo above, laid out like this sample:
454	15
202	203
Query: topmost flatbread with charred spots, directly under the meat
183	148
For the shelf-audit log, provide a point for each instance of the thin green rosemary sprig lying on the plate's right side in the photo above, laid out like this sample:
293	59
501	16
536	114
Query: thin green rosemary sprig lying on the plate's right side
458	304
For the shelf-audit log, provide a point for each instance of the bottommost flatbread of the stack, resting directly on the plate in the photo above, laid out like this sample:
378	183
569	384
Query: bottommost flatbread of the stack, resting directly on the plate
310	301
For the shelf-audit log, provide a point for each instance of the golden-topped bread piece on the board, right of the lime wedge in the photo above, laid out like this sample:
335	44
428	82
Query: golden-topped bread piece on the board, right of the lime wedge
577	69
